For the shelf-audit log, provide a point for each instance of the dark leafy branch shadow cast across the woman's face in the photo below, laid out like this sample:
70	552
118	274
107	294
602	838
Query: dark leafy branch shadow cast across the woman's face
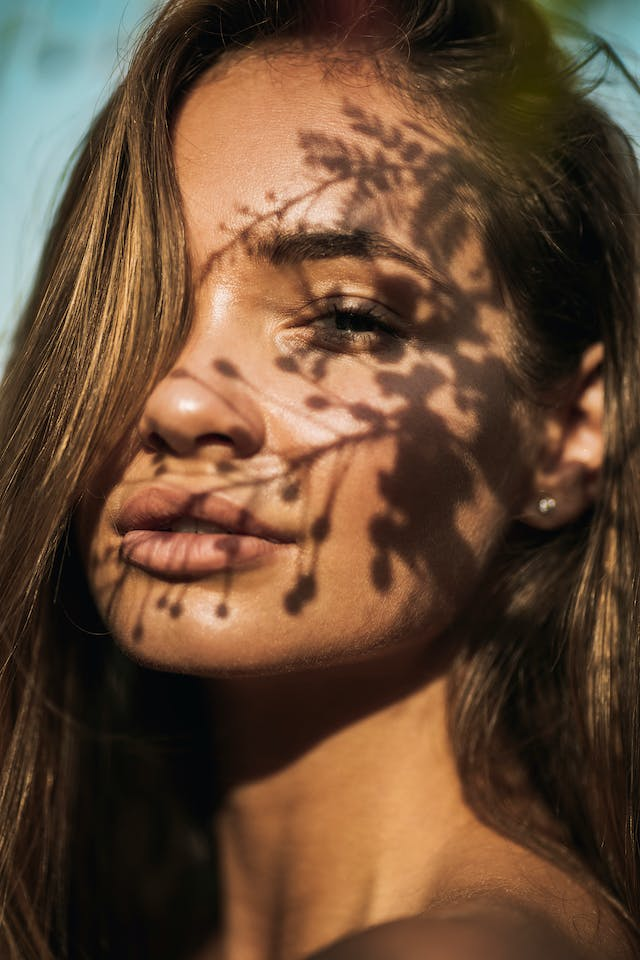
420	185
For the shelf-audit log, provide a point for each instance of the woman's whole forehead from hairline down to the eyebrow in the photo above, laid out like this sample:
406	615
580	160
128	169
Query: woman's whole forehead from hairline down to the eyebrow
282	138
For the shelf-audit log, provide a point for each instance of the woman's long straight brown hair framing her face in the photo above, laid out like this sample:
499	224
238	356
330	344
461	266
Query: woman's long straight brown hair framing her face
552	676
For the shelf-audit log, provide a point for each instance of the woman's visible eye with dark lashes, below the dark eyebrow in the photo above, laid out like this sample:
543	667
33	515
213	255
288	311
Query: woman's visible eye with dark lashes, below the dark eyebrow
379	334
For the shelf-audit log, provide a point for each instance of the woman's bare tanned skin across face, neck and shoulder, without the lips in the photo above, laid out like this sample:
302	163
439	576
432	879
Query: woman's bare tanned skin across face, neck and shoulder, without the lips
395	460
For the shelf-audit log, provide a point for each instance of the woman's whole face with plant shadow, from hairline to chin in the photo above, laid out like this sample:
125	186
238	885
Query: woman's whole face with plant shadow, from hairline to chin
336	455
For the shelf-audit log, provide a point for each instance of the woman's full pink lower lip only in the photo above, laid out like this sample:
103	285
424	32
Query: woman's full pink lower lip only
165	553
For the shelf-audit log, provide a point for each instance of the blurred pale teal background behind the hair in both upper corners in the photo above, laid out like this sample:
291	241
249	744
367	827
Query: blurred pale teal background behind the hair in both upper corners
60	58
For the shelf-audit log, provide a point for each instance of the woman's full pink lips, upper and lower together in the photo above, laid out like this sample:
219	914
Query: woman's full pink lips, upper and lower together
175	533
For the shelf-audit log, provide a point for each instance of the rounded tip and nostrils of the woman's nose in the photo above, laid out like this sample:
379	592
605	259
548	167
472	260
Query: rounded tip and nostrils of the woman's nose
189	413
